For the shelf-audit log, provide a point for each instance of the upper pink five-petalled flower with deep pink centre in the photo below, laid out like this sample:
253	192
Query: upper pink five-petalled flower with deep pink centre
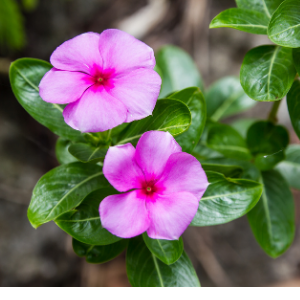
106	78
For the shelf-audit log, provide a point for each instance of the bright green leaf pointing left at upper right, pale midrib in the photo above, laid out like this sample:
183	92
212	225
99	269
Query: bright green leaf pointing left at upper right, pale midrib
241	19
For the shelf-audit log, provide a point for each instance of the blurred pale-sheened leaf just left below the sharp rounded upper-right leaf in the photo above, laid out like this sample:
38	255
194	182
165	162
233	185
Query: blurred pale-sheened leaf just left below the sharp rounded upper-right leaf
225	98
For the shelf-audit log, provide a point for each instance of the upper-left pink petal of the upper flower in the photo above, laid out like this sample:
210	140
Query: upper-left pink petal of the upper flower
78	54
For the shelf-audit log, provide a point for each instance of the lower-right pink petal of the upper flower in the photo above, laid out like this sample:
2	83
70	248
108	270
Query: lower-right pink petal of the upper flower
138	91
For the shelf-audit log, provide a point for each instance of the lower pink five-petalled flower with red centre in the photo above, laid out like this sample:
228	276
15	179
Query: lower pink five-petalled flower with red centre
163	187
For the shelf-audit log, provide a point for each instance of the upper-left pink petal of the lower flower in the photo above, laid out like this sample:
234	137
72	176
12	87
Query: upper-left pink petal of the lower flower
121	170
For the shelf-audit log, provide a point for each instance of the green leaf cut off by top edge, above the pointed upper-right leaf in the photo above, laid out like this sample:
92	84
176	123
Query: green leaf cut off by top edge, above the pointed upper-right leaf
267	7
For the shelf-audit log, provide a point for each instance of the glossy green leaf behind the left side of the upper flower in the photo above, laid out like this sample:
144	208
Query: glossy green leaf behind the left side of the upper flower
25	75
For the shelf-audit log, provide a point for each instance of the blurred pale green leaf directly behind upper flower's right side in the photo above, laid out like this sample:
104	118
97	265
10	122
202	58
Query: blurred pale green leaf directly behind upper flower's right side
177	69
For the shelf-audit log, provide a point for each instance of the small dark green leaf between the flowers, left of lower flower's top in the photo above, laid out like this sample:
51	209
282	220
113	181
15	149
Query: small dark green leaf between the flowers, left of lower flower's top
88	153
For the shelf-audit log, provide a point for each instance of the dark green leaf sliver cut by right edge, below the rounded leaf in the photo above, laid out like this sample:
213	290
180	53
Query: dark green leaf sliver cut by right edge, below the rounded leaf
293	102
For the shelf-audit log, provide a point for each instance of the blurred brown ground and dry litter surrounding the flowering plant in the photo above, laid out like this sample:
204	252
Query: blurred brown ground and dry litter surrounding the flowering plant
224	255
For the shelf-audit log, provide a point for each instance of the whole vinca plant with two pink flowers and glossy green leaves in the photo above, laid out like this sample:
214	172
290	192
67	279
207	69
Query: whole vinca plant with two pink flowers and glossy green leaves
143	151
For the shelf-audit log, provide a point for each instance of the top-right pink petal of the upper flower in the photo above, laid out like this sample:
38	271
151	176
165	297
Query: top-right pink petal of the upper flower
122	52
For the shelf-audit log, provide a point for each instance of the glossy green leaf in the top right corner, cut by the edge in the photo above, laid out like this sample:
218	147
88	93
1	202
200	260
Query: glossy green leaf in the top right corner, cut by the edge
284	27
